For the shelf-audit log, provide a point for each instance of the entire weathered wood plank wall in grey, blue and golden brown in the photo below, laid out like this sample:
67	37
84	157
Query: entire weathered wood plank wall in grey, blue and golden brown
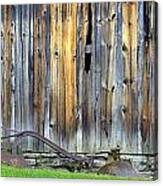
83	75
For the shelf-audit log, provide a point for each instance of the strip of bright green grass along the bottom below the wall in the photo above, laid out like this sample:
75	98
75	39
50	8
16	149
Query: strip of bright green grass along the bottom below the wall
8	171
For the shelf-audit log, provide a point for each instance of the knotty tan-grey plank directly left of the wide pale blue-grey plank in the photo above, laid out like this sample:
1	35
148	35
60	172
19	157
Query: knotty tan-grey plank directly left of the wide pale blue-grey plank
109	26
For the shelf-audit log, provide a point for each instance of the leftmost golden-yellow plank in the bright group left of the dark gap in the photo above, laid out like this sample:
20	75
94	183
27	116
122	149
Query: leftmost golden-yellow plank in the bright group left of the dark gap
54	60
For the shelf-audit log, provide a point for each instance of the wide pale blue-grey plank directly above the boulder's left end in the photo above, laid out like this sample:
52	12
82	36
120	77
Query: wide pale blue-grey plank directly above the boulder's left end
117	122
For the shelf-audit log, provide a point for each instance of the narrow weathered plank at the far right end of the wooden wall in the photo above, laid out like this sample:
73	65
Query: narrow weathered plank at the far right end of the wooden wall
154	77
